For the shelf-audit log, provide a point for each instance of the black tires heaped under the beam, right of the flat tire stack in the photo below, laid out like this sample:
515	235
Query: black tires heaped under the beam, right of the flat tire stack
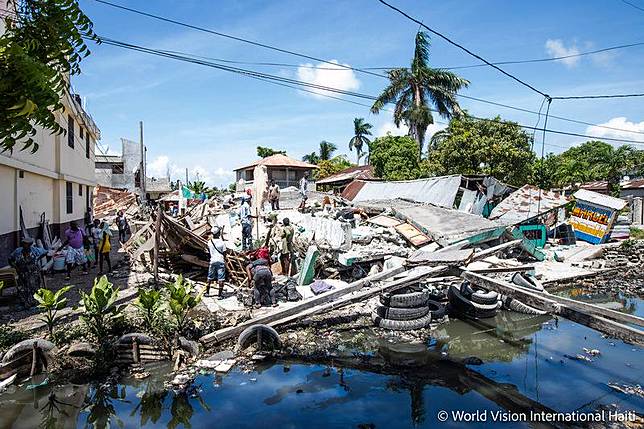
471	302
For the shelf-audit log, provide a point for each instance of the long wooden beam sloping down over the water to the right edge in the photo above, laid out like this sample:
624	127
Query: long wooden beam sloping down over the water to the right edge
569	310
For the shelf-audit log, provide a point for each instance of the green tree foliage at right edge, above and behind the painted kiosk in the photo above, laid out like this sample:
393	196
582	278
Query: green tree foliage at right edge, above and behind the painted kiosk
593	160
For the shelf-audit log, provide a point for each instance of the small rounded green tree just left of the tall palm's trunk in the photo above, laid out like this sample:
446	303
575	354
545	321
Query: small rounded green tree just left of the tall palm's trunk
395	157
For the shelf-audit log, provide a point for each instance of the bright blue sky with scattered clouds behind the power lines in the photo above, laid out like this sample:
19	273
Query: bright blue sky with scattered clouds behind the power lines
211	121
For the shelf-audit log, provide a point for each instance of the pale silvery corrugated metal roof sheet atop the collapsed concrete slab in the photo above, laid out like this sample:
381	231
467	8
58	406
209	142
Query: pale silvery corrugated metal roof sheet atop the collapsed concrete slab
440	191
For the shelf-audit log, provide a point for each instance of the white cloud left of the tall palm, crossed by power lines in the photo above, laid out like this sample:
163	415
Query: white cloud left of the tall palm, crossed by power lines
330	75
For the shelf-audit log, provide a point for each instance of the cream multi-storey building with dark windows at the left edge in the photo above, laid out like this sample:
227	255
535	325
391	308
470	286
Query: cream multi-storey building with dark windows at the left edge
56	180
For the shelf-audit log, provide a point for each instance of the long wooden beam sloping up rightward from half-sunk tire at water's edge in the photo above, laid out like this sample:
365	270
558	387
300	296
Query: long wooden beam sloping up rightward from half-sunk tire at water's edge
225	333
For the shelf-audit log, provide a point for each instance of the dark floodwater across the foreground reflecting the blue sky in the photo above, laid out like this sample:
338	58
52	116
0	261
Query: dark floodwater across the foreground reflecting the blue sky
510	363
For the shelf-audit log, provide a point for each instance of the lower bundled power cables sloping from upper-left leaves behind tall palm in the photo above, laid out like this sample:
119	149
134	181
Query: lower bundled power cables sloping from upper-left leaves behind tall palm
297	83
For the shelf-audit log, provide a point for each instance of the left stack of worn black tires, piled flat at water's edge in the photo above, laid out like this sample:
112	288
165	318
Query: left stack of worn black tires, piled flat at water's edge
403	311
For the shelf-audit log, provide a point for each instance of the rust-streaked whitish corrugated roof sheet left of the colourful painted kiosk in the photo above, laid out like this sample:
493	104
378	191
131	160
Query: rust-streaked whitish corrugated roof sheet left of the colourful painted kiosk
526	203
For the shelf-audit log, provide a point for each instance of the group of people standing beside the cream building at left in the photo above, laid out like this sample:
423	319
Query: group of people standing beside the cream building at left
82	247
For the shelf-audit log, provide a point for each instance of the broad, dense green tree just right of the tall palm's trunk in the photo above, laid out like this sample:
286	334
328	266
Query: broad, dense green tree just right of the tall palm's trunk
471	146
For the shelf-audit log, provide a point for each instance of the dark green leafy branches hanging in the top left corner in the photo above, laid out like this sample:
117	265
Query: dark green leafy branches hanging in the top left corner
43	45
